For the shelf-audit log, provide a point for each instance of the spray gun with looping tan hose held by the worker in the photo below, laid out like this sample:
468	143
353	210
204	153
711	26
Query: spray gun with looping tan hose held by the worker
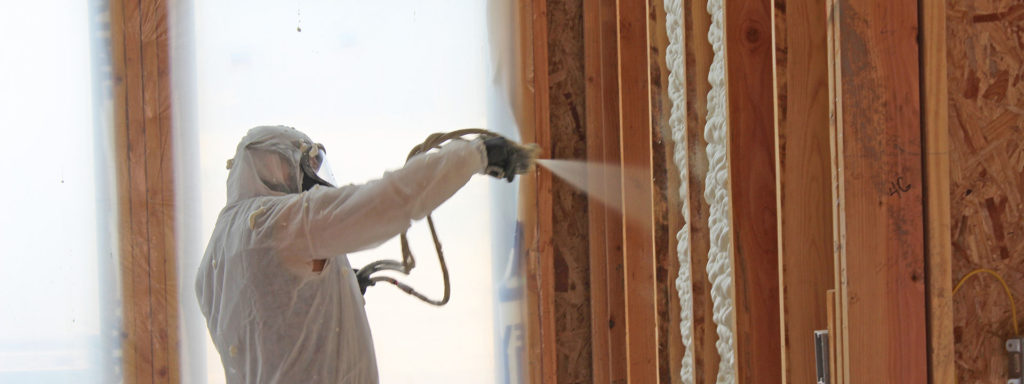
521	161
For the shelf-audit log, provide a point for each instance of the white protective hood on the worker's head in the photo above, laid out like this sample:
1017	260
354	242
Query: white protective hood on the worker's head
268	163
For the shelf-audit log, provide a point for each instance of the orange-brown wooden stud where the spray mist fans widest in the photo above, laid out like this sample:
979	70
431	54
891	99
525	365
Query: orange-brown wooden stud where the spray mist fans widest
638	244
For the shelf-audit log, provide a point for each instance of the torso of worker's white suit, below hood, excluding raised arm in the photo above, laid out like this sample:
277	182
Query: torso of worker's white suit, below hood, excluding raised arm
273	319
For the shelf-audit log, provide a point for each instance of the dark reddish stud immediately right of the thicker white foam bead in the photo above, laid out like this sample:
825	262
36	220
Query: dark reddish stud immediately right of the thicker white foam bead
752	191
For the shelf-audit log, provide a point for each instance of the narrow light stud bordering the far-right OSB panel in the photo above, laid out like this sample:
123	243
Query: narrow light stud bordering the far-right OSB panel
938	268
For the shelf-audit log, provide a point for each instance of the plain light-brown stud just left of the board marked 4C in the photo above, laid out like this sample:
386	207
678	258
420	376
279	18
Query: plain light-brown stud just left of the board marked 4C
803	163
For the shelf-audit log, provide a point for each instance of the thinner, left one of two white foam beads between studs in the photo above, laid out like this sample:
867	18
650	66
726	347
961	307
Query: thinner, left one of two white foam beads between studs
677	93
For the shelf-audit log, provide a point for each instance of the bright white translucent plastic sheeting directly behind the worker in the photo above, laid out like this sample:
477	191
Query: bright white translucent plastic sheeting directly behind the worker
368	80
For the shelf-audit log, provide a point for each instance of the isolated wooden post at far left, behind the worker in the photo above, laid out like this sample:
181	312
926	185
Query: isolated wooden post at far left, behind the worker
143	116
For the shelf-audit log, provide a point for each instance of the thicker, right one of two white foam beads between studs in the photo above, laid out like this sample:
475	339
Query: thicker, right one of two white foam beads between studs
717	194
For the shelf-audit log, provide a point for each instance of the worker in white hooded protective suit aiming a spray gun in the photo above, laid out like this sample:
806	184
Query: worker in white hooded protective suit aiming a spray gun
280	297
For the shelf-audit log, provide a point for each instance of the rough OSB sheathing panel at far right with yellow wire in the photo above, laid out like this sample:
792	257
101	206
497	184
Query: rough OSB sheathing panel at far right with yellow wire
987	68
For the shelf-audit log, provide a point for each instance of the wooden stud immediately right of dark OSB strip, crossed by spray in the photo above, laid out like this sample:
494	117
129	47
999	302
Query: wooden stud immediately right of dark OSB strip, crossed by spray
608	301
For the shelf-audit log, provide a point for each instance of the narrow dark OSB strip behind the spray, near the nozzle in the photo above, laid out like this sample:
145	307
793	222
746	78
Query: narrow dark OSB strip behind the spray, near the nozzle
569	141
